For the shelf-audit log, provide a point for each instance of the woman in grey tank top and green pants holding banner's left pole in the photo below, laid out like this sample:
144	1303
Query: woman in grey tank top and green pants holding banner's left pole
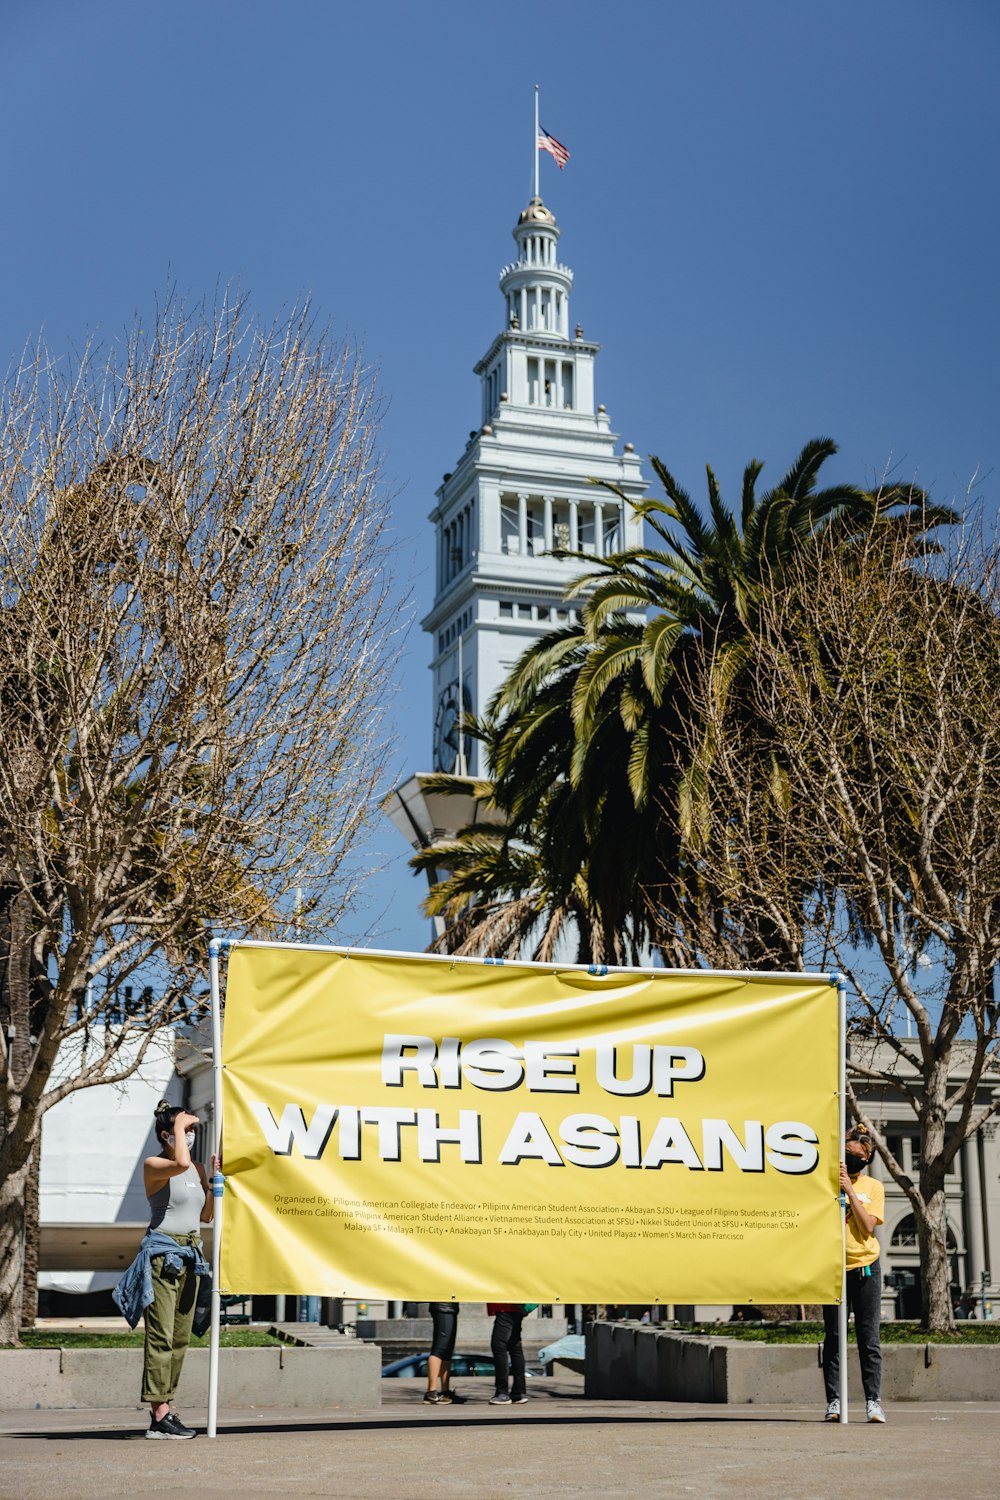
178	1192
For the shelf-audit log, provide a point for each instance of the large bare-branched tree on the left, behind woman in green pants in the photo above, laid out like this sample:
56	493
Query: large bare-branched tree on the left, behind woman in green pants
196	637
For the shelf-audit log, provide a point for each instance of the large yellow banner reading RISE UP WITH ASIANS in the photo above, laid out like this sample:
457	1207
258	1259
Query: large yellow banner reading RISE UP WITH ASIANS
400	1127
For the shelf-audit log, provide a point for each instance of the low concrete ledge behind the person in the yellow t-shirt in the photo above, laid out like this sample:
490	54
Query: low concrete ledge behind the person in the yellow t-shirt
630	1361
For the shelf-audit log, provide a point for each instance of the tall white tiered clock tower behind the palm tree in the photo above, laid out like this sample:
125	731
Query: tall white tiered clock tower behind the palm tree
522	488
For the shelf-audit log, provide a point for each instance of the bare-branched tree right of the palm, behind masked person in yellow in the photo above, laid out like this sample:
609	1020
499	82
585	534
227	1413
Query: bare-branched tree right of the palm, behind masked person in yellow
854	821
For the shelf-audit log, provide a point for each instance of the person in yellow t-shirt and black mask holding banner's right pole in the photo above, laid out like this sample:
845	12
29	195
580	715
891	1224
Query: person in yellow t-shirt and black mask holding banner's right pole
864	1208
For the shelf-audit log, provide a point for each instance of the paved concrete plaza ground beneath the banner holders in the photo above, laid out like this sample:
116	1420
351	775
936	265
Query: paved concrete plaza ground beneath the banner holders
557	1445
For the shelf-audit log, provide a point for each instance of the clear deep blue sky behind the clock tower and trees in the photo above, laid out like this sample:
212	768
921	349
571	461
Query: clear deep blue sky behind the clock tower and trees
782	218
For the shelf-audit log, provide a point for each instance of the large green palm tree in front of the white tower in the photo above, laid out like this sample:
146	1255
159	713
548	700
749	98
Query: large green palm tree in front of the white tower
590	739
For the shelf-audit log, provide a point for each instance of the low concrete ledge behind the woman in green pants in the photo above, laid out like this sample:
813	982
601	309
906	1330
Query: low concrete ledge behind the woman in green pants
248	1378
